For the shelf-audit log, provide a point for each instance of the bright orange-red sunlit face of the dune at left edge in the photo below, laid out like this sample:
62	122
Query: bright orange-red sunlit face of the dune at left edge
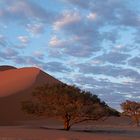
16	80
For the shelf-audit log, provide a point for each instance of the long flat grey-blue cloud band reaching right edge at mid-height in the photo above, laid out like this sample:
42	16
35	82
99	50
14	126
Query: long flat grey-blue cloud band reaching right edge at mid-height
109	70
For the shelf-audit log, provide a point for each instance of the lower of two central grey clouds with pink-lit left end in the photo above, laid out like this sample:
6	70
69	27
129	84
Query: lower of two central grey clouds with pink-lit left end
70	48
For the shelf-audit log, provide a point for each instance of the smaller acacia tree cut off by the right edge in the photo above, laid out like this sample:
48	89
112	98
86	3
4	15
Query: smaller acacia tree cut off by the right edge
132	110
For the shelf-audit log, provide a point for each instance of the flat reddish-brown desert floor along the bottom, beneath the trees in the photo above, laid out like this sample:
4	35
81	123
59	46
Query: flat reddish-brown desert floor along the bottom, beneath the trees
79	132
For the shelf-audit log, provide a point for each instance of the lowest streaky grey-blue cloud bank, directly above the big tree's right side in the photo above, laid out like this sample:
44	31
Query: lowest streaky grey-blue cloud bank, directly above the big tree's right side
113	93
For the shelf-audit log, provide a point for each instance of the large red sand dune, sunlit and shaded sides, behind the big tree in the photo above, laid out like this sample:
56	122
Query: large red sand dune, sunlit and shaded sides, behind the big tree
16	85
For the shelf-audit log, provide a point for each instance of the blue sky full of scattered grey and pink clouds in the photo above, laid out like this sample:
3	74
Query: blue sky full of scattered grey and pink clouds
94	44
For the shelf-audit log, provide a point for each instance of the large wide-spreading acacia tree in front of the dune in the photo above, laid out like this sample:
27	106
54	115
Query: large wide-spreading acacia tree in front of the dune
67	103
